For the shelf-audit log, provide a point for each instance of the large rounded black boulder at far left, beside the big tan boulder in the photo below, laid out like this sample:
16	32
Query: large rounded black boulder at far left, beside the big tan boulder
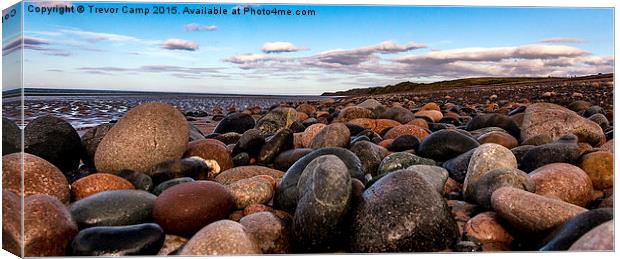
54	140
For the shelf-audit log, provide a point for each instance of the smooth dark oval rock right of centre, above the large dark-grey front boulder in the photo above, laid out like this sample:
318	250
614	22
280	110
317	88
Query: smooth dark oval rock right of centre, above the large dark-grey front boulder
446	144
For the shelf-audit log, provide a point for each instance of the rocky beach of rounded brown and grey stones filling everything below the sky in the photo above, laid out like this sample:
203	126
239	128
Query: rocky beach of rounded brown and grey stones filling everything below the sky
526	166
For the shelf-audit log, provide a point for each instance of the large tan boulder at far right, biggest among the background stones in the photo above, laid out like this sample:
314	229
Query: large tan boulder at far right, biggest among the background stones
556	121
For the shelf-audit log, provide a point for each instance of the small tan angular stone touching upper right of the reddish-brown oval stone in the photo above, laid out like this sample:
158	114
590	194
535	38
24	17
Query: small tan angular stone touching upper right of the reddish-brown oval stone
251	191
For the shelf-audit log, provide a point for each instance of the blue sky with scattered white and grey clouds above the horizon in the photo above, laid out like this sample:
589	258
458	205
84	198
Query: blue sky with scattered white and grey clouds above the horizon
337	48
